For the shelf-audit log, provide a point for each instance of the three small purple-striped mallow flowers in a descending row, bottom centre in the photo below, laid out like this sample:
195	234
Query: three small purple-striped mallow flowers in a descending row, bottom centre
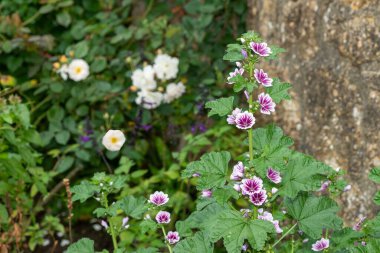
163	217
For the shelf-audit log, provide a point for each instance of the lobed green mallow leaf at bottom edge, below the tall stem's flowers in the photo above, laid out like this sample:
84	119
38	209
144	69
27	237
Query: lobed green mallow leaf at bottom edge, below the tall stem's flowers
235	229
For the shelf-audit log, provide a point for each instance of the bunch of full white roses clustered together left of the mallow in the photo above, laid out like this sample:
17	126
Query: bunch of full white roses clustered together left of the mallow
149	95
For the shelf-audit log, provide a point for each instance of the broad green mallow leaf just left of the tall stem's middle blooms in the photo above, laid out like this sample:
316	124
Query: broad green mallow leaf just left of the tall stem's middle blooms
213	168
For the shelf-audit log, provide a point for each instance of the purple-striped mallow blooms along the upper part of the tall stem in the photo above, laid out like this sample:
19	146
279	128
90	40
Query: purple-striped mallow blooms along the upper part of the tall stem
245	119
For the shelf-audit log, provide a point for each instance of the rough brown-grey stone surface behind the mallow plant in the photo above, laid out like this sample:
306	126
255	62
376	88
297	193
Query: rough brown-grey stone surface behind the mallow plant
333	61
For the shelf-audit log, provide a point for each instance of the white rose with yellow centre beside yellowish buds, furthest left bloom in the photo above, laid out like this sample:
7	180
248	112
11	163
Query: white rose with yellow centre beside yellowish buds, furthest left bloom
75	69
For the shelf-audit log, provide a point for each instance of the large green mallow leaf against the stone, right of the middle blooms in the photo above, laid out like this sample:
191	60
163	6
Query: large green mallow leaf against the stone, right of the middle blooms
302	173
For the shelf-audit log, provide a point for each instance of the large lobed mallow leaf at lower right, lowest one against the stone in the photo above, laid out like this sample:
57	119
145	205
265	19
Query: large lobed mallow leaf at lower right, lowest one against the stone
314	214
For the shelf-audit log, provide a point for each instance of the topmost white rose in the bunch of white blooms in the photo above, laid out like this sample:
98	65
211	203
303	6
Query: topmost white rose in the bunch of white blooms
166	67
